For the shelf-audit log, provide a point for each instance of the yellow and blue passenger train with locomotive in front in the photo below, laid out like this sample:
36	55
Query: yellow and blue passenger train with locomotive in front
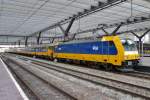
109	51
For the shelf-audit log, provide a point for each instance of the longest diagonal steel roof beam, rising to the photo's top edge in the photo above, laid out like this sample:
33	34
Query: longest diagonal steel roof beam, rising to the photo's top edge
86	12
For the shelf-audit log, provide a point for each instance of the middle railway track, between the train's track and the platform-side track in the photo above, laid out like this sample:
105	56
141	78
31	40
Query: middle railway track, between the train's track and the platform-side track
134	89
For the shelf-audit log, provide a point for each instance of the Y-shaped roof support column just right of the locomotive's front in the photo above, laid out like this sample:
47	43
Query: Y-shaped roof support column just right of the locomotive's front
140	41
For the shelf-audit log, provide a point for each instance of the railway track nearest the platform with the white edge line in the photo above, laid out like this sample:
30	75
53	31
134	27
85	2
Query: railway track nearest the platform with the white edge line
40	88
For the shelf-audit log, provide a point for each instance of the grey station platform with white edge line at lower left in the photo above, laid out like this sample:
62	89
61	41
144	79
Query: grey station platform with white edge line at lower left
9	88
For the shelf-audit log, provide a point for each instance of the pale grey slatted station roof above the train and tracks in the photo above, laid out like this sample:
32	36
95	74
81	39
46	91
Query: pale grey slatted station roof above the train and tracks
28	17
